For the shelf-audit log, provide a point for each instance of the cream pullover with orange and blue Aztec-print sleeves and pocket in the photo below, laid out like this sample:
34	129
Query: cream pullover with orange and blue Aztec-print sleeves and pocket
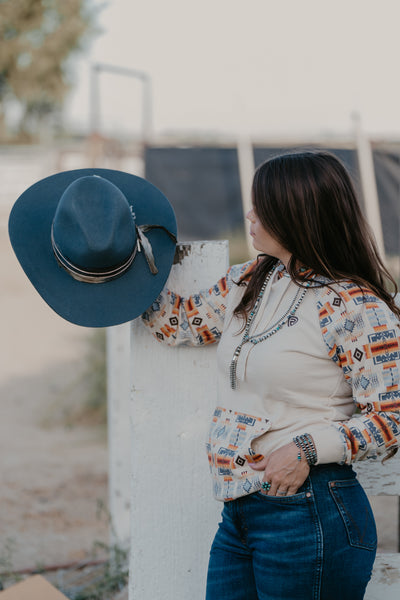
340	353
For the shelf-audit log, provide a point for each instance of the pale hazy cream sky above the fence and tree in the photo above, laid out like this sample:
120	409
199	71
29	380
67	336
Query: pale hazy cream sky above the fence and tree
253	68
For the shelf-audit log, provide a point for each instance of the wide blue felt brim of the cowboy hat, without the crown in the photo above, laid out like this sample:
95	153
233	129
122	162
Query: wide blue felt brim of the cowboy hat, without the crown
89	304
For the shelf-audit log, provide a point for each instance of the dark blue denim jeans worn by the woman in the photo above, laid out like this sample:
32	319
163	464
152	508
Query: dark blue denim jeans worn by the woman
318	544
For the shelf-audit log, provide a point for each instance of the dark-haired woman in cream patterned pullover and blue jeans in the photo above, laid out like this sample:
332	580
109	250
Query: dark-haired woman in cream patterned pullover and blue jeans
308	335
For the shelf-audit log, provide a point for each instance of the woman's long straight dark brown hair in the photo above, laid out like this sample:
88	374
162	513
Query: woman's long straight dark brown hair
307	202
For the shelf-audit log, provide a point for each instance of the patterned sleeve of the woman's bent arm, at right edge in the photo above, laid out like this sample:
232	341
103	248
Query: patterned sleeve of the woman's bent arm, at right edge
362	336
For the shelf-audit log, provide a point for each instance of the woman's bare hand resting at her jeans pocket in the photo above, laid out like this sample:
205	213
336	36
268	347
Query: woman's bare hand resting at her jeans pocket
283	470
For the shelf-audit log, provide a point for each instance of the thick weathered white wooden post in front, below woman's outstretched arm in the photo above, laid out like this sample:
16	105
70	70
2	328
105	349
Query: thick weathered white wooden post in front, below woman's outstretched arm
173	513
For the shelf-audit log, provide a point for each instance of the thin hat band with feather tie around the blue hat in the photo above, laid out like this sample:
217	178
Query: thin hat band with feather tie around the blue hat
85	276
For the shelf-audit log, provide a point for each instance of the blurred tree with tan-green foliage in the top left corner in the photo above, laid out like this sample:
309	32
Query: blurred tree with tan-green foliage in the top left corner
37	37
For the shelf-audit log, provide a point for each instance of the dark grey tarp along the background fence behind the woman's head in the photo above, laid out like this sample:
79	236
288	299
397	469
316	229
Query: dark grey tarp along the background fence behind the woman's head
203	185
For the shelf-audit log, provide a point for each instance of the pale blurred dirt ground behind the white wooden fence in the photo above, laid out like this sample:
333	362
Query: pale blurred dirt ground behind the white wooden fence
52	477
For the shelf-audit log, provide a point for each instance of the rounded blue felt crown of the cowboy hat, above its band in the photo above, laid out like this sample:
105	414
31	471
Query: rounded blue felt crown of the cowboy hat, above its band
93	226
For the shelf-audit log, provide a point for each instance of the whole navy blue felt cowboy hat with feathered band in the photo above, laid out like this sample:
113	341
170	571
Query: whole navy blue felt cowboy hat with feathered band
97	244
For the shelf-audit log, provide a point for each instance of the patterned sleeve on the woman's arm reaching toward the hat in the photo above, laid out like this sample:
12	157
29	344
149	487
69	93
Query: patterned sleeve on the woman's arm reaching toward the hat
196	320
